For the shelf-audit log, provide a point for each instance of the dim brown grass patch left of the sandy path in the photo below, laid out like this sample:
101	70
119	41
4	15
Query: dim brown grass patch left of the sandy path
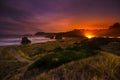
8	62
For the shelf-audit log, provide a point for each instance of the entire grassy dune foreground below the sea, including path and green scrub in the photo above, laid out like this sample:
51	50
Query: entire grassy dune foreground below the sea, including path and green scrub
69	59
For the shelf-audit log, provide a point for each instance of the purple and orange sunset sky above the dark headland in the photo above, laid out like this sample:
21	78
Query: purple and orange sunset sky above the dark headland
31	16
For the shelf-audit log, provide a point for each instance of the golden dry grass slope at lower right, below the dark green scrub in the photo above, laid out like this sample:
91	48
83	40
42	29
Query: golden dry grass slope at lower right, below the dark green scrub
104	66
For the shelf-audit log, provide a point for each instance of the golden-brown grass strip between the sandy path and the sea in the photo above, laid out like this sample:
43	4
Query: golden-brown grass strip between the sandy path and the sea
37	49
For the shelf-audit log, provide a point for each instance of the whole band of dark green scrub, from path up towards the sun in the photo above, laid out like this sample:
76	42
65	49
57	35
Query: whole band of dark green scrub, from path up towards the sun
65	55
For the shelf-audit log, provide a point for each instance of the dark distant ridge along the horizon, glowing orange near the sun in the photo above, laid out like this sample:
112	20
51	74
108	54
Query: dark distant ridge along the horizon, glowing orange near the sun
113	30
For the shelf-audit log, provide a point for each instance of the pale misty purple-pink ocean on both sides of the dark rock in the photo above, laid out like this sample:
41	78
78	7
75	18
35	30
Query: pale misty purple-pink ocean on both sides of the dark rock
7	41
